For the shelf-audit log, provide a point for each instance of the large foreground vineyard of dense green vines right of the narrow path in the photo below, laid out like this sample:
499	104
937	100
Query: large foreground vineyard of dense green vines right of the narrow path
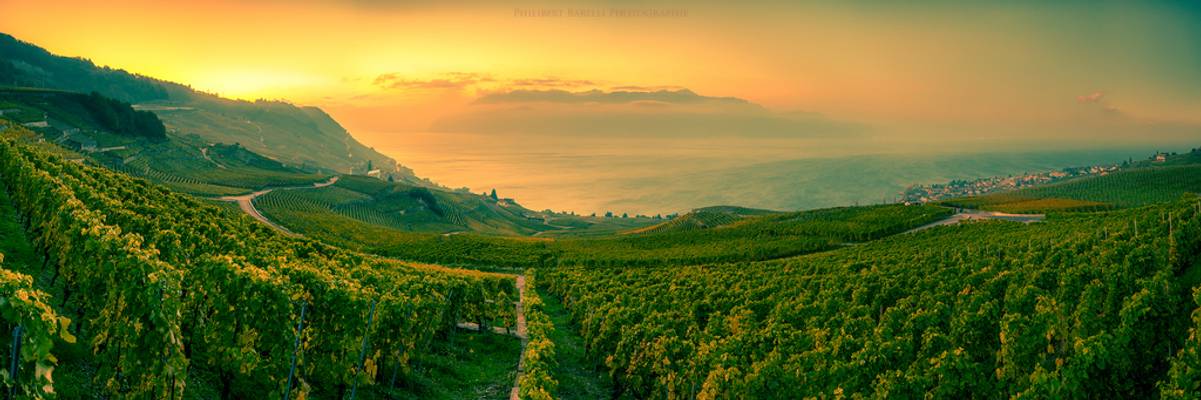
1094	306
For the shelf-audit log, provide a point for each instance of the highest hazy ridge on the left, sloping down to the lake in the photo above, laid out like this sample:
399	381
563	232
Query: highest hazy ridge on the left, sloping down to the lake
301	138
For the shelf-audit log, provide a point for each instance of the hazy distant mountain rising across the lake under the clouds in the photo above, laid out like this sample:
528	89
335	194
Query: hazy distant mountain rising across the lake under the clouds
679	114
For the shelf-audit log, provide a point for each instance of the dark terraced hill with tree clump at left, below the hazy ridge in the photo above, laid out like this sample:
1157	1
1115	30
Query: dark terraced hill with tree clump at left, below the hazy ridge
112	134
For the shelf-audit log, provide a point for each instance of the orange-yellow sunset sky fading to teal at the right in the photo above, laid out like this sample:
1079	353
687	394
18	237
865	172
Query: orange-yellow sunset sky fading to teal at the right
1066	68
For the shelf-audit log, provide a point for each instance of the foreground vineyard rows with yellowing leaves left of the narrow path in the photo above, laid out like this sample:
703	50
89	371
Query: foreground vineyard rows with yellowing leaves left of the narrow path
164	284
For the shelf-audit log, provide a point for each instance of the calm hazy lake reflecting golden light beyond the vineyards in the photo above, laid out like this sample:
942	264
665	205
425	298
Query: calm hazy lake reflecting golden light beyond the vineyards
662	176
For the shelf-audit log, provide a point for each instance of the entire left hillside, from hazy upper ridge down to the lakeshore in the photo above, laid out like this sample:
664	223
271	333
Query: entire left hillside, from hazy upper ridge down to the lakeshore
211	147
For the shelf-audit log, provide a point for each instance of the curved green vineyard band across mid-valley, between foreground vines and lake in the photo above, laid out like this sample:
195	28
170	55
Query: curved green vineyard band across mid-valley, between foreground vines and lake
760	238
